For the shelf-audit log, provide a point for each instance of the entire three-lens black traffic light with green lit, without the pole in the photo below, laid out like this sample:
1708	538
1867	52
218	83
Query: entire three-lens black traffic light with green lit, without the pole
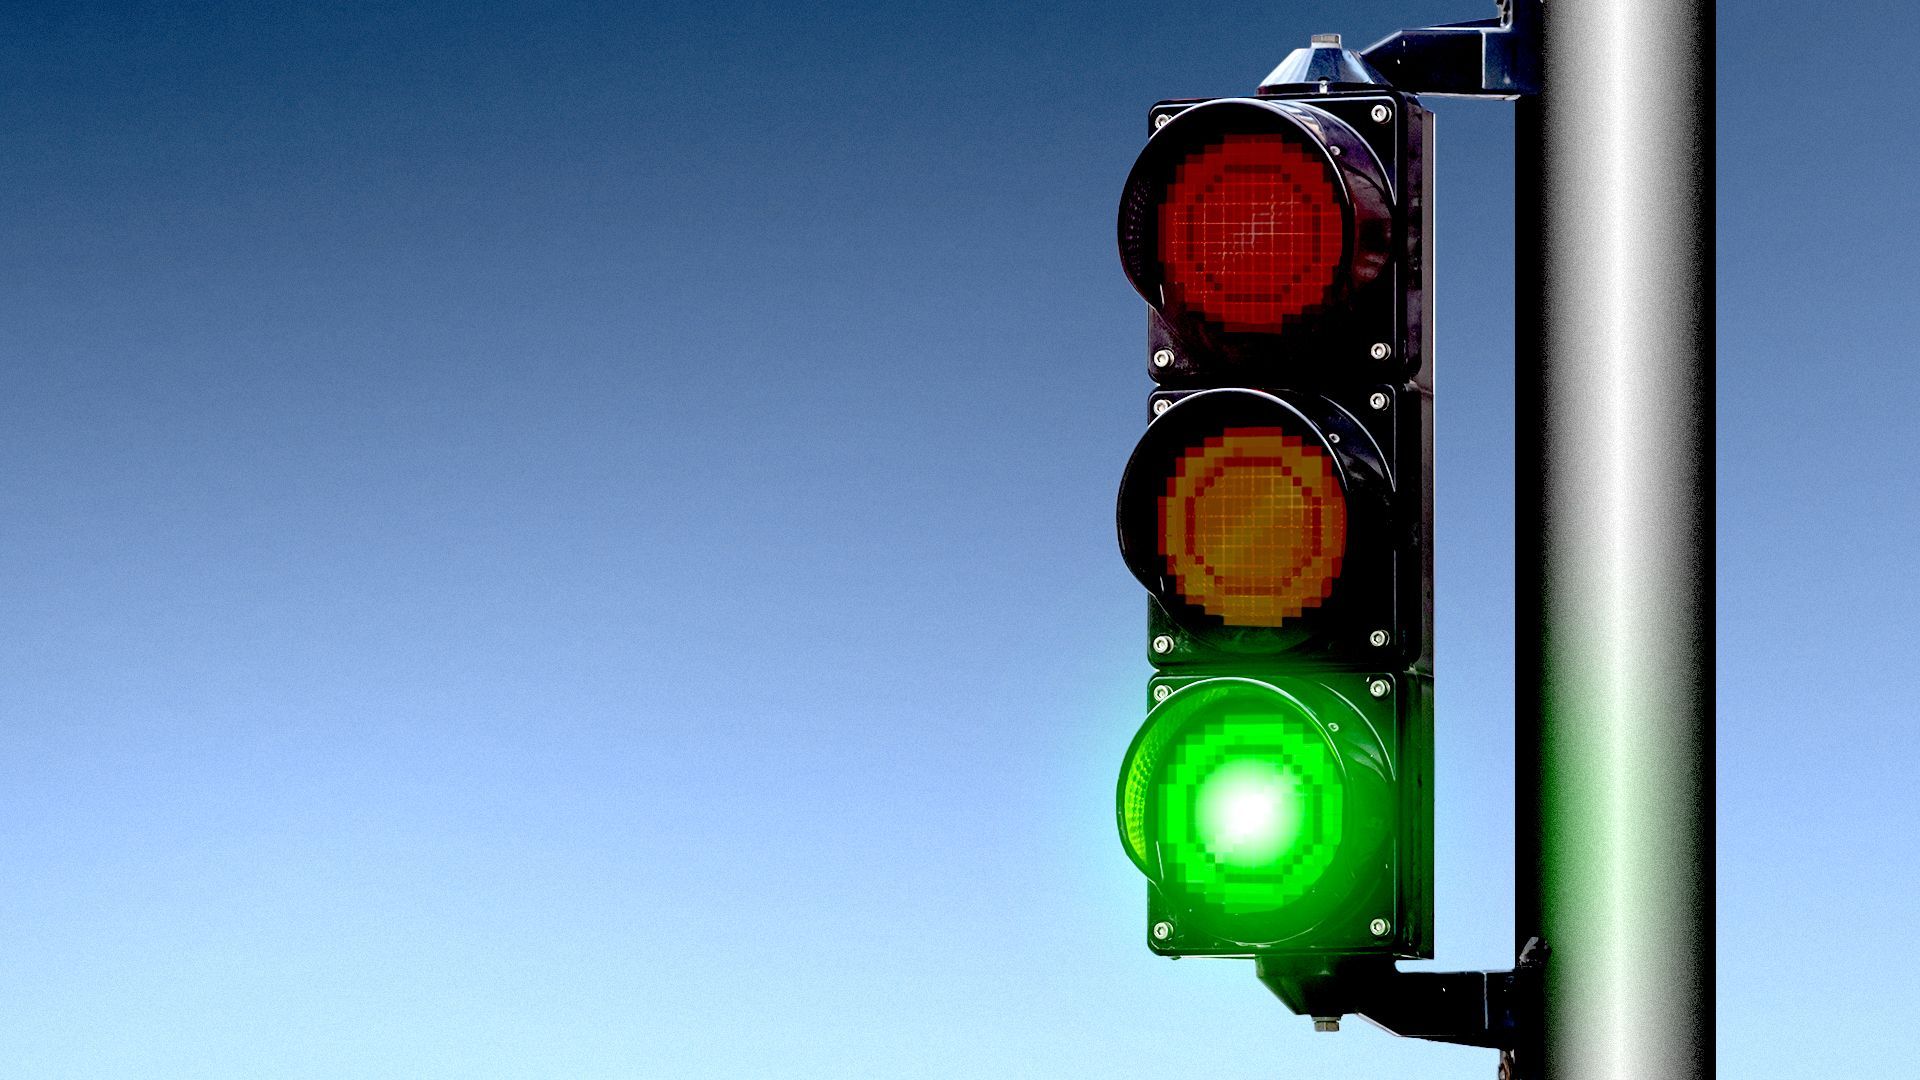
1278	512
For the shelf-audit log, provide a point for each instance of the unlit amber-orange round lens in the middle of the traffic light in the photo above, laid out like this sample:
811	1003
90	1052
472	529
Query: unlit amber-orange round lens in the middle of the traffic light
1253	526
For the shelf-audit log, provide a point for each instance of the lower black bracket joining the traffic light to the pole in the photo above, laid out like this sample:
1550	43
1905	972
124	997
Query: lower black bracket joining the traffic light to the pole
1470	1008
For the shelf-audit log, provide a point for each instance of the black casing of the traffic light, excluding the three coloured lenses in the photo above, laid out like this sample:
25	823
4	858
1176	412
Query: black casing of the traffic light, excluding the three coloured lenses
1364	374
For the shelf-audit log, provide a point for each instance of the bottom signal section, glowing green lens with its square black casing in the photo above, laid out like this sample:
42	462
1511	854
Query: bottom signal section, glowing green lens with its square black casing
1282	814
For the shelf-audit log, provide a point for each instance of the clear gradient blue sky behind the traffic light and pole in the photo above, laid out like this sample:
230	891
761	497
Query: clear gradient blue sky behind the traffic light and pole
577	541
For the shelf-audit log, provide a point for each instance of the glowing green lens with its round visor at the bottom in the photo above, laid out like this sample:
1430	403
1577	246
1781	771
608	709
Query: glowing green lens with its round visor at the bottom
1245	800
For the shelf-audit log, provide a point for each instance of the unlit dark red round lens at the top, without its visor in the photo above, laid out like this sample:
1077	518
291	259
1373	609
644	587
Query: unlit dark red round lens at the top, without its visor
1251	232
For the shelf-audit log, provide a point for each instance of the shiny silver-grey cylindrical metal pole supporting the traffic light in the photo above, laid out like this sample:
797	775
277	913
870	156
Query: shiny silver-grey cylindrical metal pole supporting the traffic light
1614	483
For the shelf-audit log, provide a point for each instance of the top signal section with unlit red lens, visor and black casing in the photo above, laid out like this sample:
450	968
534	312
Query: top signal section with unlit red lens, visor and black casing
1260	233
